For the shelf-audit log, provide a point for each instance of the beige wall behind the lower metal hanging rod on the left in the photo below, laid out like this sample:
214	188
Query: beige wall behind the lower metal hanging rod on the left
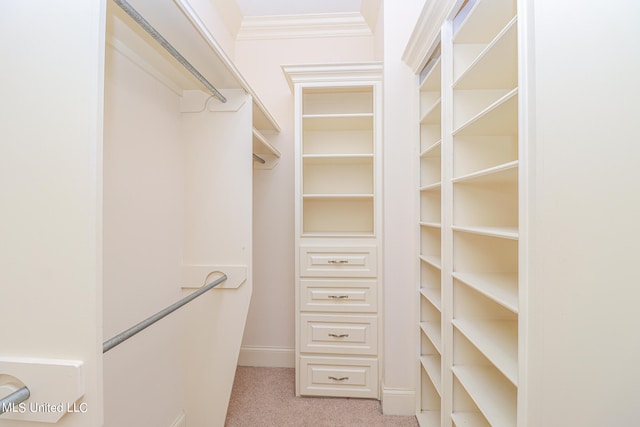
143	233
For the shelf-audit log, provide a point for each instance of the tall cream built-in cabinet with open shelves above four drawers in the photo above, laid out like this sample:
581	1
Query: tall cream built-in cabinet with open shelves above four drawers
337	229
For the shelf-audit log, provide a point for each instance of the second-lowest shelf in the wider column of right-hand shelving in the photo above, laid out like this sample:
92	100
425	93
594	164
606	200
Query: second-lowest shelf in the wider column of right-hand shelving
494	396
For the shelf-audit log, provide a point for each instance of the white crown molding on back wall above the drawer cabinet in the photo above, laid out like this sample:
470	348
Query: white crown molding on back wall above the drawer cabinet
299	26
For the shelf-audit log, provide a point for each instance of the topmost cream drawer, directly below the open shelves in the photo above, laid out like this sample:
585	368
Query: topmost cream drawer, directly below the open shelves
355	261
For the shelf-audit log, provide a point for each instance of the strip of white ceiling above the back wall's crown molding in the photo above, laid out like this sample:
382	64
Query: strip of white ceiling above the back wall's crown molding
297	7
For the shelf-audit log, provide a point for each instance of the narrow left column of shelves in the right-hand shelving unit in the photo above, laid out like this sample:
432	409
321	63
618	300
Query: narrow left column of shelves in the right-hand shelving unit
430	285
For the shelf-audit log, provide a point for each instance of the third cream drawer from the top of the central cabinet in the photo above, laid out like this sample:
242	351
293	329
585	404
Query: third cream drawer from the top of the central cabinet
343	334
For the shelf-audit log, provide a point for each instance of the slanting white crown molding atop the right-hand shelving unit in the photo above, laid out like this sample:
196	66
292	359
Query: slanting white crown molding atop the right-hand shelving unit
427	32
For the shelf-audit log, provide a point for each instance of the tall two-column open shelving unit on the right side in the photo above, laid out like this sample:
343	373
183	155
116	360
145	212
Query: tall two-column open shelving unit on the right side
469	220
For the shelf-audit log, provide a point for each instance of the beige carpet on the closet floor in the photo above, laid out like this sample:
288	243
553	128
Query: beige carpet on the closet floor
265	397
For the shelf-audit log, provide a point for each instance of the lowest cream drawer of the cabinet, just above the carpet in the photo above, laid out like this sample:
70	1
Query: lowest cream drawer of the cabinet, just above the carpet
338	377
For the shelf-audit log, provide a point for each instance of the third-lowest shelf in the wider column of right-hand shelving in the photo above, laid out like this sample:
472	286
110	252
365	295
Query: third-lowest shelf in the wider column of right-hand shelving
497	340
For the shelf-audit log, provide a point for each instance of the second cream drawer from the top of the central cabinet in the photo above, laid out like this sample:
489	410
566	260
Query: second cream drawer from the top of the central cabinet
336	295
